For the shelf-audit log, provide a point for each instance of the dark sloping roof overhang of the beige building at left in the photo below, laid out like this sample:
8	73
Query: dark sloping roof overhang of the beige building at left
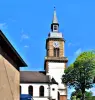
10	51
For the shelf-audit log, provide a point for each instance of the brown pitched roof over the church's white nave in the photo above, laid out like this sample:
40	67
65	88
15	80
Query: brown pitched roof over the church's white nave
33	77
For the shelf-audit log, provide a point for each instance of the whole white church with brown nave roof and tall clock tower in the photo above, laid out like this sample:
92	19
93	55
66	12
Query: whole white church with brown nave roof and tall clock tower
47	85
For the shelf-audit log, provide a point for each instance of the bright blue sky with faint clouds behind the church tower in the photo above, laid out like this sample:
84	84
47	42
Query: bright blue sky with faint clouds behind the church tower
26	23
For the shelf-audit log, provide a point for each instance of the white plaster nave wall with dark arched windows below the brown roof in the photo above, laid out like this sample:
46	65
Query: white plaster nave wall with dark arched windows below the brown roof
36	86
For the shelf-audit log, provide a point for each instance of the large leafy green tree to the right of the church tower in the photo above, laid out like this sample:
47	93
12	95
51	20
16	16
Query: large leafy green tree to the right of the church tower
81	73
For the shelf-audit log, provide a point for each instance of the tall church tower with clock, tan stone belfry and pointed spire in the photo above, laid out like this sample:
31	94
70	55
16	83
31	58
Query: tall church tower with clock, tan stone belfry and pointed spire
55	60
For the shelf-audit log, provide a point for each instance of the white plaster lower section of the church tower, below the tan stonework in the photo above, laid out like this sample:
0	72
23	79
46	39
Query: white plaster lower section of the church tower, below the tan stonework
56	70
